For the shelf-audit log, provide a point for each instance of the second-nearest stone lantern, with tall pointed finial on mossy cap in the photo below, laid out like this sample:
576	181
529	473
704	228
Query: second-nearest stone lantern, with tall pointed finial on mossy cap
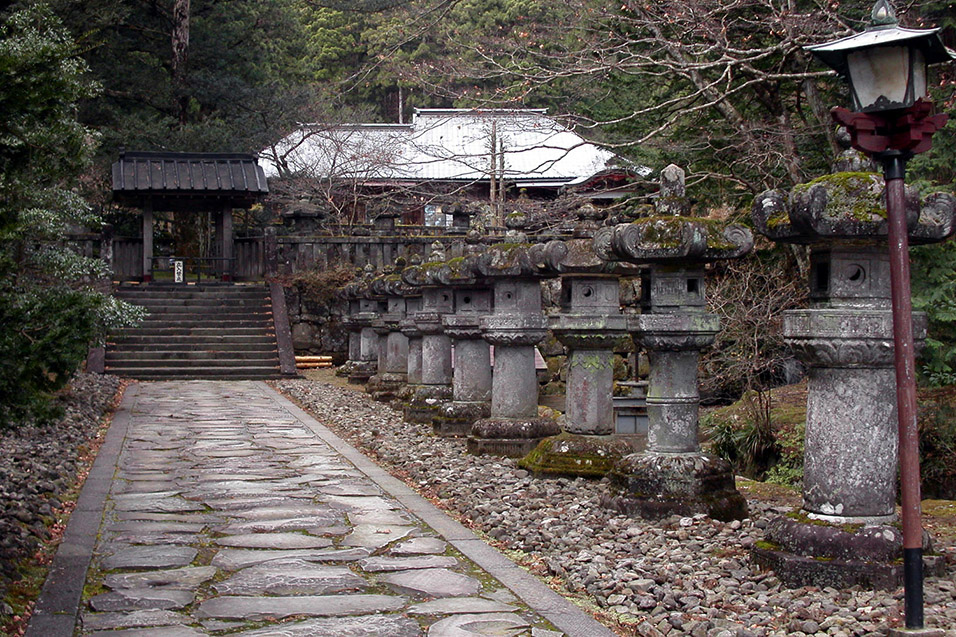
673	476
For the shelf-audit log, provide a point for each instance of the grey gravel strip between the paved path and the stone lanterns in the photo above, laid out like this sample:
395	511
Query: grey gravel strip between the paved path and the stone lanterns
680	576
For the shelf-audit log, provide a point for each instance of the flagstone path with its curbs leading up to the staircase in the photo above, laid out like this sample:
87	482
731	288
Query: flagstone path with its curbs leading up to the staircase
230	511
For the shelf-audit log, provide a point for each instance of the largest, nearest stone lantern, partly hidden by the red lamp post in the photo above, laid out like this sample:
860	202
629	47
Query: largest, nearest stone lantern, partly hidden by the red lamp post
845	533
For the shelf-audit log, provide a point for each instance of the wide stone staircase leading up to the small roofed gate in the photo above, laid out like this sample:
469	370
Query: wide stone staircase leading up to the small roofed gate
211	331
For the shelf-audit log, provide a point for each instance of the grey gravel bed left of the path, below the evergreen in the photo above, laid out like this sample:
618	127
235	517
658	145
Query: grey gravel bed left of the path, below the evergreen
39	464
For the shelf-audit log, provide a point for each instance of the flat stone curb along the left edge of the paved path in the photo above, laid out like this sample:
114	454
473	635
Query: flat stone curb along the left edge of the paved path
56	609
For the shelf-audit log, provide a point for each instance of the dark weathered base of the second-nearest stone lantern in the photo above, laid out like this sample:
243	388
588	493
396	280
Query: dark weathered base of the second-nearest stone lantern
657	485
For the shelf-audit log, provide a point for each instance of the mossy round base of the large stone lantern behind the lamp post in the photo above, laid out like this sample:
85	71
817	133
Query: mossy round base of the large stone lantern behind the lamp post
807	552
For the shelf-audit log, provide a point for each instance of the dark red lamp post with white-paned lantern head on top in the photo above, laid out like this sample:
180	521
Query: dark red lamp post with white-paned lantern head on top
892	120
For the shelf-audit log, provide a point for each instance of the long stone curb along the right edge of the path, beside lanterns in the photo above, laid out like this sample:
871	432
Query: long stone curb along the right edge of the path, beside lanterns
559	611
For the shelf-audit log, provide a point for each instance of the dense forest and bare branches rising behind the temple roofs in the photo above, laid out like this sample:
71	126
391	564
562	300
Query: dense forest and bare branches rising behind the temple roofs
722	87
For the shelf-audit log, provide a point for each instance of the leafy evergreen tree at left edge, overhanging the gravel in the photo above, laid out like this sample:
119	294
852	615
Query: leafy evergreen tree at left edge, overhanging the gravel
48	316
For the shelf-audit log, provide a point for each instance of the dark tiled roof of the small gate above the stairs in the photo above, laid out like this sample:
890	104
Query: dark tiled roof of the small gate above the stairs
169	177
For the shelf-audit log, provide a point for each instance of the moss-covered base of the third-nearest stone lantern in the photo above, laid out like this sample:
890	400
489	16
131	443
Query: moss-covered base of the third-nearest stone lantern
575	455
